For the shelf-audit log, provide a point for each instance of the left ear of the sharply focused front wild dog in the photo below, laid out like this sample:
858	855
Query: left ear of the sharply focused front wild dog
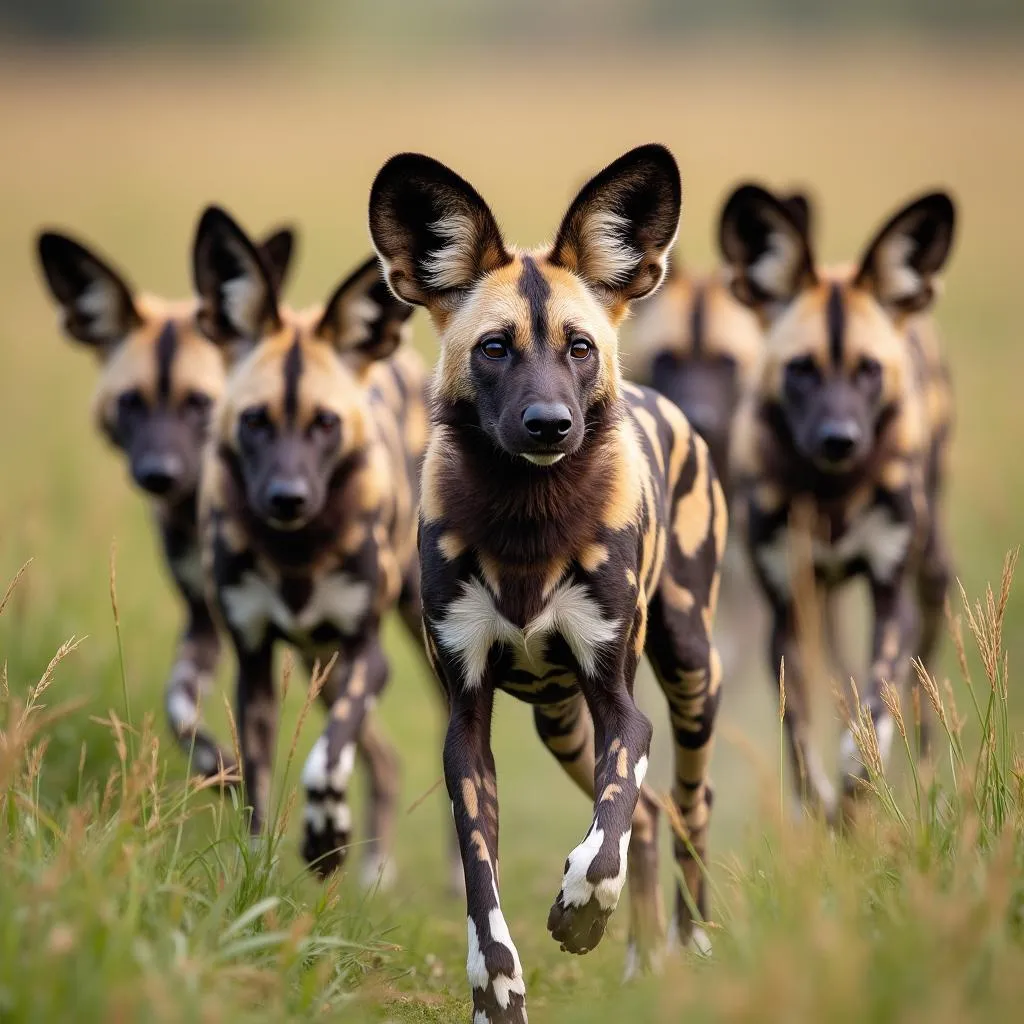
434	233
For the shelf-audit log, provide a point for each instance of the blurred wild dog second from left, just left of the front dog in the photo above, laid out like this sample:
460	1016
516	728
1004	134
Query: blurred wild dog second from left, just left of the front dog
309	519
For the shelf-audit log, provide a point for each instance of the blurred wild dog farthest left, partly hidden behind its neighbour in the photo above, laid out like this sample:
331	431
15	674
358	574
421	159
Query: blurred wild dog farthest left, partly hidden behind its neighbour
159	381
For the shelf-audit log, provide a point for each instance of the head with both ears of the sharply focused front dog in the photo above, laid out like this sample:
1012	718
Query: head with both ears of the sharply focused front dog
530	352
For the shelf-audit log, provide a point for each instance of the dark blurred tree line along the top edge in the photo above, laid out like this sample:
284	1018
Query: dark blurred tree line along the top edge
244	21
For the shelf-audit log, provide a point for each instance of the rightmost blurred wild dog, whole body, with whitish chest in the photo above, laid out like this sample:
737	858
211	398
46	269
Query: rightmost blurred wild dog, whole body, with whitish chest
847	426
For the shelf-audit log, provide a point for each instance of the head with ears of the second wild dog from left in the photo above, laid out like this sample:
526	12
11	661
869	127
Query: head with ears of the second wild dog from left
295	409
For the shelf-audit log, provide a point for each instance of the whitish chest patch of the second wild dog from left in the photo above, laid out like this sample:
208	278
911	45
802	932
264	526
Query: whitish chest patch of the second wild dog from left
305	613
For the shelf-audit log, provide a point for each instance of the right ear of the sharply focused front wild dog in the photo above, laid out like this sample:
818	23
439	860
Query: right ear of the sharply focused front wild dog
618	232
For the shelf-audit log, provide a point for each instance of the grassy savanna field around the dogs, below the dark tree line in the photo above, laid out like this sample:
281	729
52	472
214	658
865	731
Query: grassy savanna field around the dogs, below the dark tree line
144	904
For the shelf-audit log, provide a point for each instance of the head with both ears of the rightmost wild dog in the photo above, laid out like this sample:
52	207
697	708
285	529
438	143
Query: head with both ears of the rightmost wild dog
837	357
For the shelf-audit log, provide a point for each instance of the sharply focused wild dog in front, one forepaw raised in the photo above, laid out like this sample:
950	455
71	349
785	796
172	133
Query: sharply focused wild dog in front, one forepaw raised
570	523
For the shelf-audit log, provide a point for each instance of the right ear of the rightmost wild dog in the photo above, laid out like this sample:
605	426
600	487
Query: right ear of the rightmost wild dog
903	263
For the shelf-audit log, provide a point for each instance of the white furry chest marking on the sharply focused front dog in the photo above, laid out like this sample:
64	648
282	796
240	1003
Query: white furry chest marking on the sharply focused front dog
474	625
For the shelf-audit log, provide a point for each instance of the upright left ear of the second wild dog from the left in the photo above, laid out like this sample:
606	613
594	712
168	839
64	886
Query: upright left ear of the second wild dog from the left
238	300
